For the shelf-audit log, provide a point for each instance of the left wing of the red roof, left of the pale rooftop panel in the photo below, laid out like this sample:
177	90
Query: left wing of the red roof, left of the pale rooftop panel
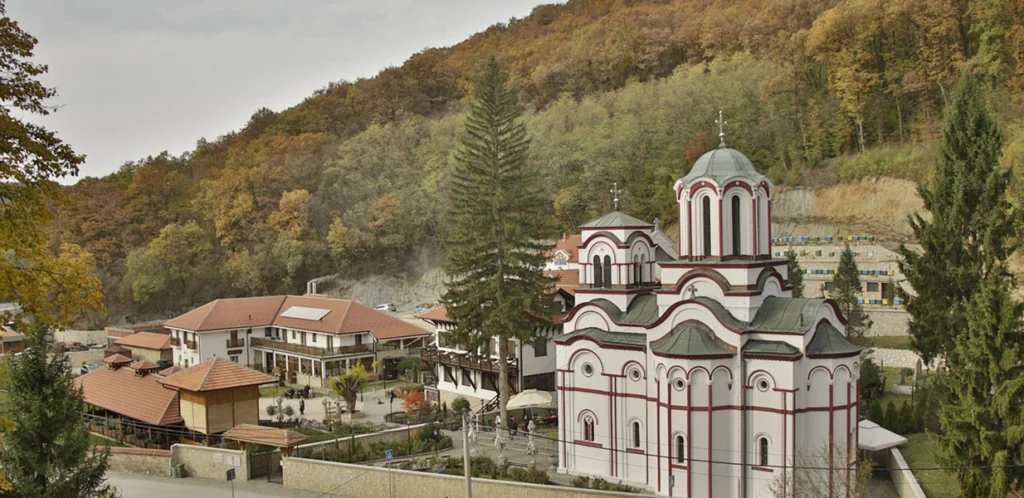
230	314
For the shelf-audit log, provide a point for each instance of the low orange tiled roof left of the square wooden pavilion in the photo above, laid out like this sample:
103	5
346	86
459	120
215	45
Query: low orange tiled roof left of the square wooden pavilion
142	398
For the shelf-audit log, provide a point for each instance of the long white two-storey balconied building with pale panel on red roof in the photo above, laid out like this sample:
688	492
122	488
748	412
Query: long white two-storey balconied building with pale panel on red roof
309	339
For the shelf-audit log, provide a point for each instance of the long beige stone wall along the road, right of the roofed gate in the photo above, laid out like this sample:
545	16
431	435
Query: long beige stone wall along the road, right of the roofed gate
364	482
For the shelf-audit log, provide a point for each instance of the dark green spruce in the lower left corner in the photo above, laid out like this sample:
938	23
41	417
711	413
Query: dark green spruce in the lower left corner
47	452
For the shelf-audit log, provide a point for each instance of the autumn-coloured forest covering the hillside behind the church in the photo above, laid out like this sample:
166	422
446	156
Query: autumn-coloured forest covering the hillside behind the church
355	180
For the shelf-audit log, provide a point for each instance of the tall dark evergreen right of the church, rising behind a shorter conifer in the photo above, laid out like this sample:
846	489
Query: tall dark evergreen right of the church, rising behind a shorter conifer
971	224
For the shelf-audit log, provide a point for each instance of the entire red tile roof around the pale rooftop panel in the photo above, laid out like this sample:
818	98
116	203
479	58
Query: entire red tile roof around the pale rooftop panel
344	317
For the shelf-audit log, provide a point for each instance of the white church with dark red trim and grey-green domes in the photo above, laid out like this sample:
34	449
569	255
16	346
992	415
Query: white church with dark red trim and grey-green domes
702	376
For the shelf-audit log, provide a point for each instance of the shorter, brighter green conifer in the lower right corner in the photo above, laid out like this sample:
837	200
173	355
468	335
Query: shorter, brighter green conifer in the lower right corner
983	418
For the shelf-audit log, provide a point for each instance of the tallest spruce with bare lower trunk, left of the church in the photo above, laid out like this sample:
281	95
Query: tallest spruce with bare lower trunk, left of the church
498	225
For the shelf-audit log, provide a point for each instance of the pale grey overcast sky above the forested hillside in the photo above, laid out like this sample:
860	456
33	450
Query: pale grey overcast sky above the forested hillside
138	77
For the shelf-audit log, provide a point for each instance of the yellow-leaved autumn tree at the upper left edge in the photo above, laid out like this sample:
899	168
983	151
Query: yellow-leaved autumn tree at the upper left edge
54	286
